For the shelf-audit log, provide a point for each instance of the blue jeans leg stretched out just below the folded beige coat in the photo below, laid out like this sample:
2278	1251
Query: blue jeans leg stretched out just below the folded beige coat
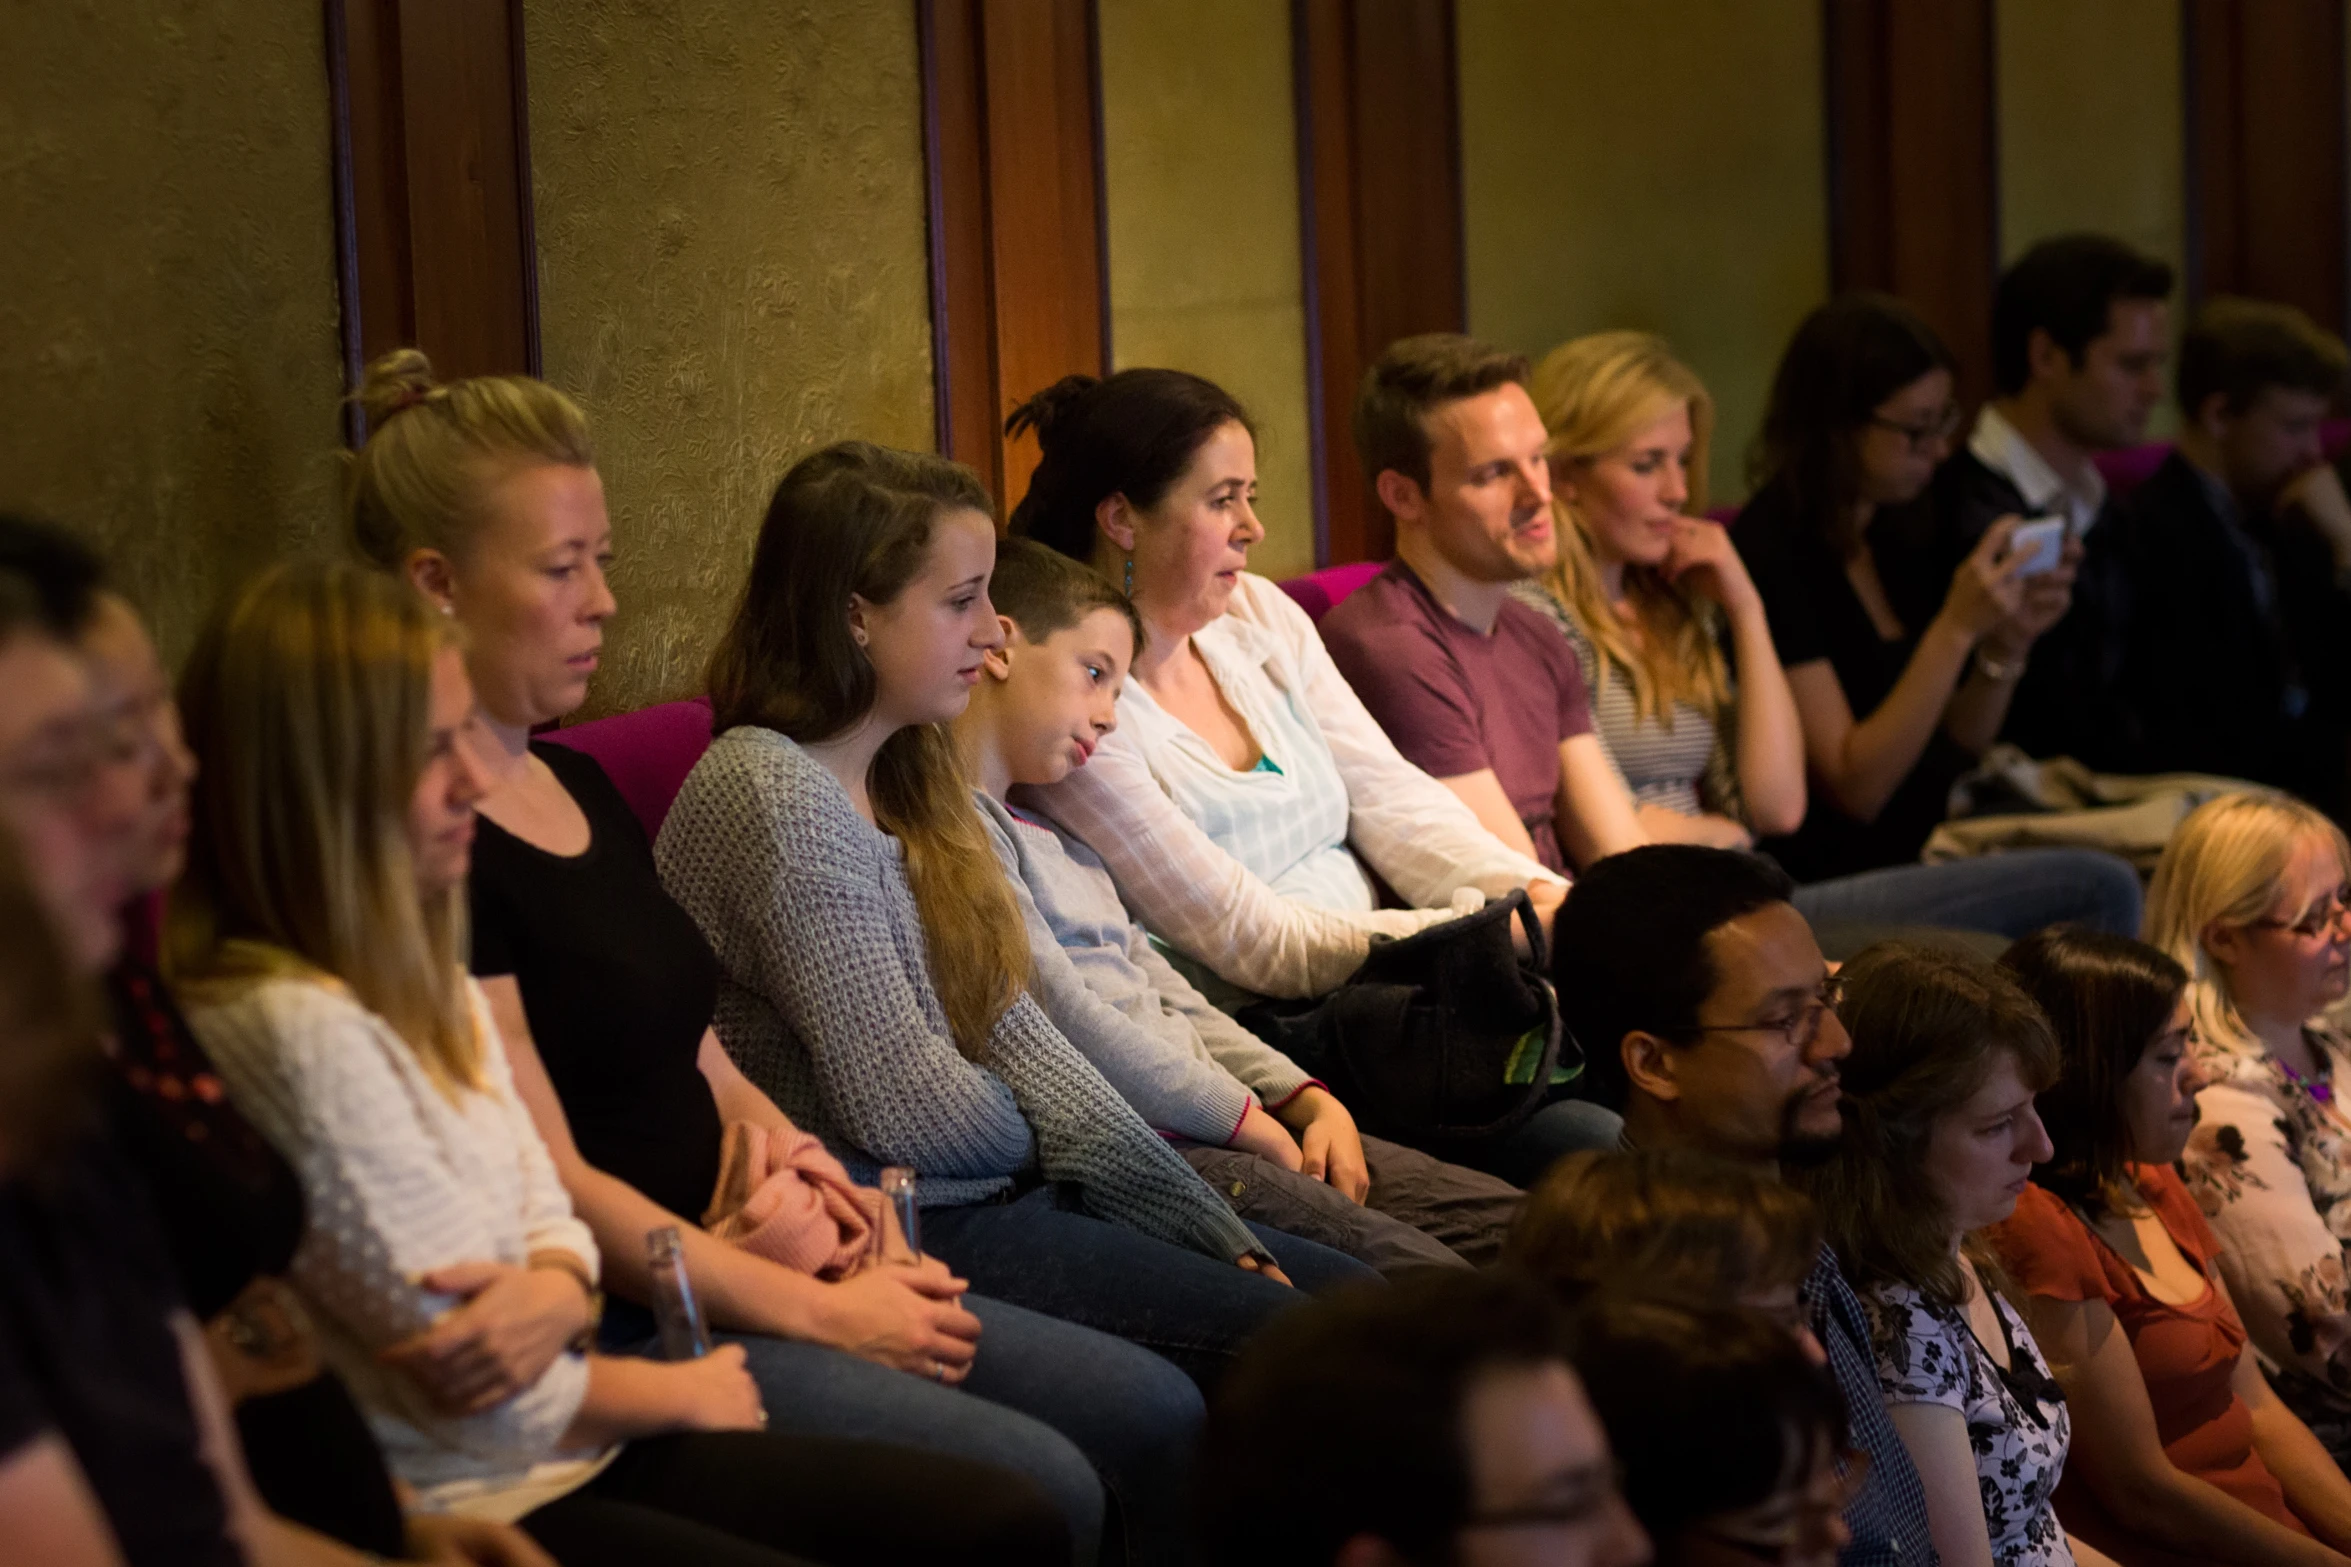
2011	894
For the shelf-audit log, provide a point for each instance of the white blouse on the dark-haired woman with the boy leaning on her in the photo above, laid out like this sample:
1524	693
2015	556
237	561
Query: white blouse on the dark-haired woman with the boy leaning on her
1261	877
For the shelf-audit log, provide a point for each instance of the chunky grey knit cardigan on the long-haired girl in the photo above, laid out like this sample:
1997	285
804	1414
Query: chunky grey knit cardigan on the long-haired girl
826	1002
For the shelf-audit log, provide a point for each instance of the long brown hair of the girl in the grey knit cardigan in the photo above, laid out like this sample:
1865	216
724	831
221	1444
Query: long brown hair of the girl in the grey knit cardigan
857	520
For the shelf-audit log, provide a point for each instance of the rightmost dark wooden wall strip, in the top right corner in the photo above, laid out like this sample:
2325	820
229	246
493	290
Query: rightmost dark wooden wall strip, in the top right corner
2265	161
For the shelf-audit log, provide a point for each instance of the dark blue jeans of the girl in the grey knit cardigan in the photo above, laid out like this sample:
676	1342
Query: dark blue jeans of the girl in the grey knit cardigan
1043	1253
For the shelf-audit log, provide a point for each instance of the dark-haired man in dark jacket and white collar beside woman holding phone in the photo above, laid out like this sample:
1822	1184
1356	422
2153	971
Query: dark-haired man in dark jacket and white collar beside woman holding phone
2079	335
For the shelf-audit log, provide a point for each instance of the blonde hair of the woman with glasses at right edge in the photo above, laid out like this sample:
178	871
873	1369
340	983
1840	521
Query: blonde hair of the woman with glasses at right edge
2223	868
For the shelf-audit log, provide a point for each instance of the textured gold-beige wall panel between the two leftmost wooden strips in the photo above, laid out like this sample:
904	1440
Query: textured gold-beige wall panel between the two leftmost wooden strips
732	271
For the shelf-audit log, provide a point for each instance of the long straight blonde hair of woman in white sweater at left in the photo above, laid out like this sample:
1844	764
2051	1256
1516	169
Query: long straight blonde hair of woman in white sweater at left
309	706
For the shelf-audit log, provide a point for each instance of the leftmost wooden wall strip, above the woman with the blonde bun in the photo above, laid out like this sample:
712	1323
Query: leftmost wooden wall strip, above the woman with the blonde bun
434	184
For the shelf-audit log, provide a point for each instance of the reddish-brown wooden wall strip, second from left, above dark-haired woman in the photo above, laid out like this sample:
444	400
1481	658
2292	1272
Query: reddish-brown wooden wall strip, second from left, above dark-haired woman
1019	281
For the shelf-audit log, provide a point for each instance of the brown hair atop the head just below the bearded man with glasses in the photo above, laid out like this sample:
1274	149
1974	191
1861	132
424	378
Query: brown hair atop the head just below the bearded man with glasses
1675	1225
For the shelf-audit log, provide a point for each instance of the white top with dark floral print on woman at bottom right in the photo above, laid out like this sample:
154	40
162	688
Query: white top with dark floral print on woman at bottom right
2018	1420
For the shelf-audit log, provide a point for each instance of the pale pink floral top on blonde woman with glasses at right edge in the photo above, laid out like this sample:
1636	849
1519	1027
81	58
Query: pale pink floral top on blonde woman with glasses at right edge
2270	1166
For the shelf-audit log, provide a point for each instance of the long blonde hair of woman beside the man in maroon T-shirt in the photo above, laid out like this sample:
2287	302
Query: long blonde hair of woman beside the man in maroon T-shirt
1595	396
